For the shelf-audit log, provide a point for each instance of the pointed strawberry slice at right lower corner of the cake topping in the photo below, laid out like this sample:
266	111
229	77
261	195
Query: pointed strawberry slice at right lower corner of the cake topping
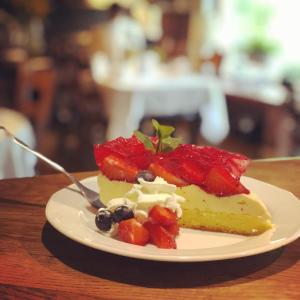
220	182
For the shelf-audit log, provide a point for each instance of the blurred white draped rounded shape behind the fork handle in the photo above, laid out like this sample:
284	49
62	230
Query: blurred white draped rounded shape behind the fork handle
14	160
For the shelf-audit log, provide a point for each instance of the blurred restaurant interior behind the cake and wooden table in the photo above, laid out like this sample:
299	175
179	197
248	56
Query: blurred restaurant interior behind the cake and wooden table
79	72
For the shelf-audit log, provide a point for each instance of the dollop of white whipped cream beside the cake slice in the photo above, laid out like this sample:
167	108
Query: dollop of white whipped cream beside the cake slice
146	194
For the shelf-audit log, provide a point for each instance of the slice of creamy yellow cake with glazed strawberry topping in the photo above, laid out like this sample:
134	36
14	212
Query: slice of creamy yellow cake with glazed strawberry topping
208	178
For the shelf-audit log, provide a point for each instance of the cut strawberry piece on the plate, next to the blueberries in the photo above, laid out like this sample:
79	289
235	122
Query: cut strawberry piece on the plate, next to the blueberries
133	232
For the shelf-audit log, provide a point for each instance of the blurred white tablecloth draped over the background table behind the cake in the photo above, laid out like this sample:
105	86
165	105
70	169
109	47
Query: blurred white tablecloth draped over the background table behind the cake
130	99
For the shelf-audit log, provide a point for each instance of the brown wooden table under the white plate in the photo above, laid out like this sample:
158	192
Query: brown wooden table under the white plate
38	262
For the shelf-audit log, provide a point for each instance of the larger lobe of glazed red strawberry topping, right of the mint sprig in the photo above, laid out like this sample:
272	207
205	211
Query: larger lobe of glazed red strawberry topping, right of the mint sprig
191	164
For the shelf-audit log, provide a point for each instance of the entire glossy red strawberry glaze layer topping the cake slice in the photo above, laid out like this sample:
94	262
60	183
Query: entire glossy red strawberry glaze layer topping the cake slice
216	171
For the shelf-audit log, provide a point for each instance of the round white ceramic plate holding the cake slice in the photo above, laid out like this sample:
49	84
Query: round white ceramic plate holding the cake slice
71	214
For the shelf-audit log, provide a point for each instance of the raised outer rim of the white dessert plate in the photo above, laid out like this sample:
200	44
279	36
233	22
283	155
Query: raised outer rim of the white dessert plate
170	258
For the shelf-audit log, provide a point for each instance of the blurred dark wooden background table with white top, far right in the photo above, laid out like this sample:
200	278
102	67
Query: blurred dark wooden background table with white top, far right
264	106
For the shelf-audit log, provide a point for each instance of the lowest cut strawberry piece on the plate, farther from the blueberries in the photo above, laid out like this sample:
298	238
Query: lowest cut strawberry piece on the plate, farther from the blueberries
160	236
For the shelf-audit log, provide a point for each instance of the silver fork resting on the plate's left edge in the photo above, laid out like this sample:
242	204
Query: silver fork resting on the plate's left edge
90	195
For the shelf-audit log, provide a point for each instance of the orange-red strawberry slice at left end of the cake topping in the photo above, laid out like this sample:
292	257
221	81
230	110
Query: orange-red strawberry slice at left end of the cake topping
116	168
